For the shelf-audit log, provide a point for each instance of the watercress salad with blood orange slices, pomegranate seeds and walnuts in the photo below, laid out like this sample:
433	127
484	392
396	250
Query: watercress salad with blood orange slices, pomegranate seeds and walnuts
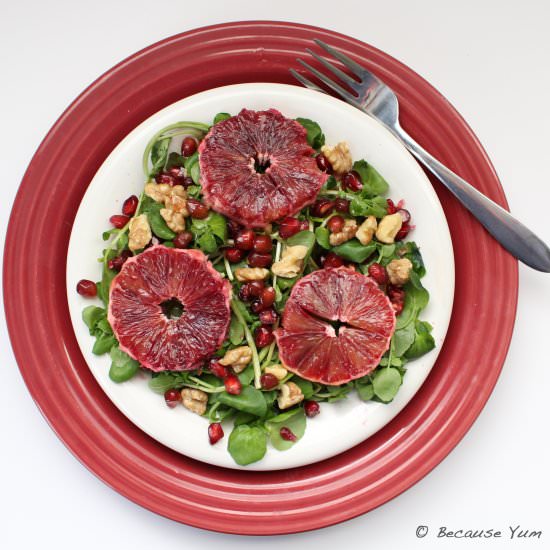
260	273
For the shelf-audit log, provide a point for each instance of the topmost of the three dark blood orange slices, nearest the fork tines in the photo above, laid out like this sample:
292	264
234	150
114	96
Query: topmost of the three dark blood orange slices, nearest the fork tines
257	167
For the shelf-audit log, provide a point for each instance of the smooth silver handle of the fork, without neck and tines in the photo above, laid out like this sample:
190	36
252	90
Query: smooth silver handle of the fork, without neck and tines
520	241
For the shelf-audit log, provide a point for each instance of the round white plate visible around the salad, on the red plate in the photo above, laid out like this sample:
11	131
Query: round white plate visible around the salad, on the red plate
341	425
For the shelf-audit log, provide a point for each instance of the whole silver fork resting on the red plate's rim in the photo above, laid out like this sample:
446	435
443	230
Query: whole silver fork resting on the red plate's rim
376	99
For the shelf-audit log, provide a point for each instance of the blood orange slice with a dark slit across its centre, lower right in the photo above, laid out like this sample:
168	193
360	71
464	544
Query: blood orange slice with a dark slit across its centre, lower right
336	326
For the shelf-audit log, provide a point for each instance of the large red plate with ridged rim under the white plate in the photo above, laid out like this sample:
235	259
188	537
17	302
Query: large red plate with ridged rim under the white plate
133	463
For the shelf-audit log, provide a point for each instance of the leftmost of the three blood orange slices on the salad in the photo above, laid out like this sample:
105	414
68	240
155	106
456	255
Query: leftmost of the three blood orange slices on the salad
169	308
